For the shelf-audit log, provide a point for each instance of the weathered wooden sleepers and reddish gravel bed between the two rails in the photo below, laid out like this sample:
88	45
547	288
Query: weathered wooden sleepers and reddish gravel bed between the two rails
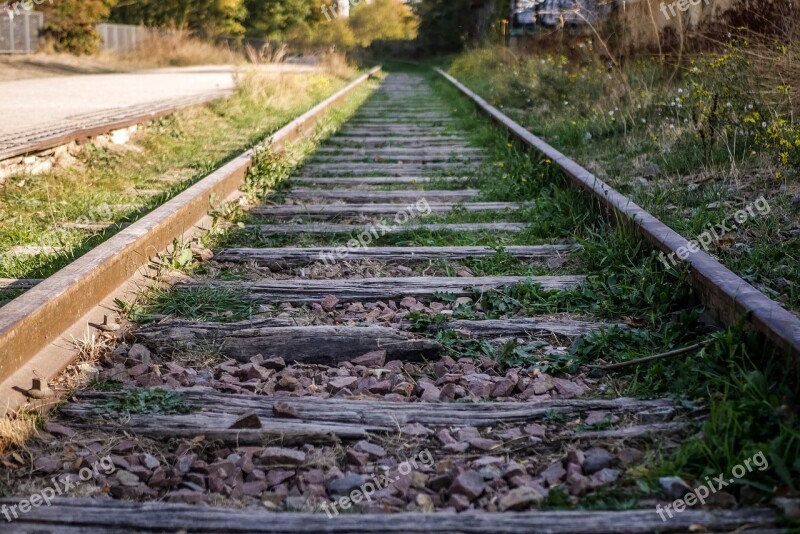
313	369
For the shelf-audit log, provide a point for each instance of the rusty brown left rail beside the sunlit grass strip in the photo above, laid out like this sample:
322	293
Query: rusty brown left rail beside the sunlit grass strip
37	320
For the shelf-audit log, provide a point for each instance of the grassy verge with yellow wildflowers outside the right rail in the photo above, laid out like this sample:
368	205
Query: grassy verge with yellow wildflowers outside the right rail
693	150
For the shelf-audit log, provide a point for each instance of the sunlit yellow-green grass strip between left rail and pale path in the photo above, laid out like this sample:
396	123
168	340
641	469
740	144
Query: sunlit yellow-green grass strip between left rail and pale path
188	144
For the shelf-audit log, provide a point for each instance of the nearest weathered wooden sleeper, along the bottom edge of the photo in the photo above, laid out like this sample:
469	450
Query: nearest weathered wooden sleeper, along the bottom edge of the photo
106	516
